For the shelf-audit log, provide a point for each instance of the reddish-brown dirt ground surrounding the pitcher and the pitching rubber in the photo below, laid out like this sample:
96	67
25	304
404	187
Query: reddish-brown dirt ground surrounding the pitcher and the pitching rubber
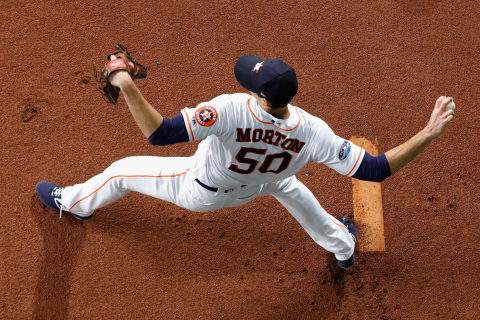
371	68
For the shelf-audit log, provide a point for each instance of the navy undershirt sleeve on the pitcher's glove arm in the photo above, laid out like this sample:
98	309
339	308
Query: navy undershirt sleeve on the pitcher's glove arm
171	131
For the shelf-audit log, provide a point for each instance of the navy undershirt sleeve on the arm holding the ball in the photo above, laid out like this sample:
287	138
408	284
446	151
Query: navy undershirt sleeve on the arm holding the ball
373	168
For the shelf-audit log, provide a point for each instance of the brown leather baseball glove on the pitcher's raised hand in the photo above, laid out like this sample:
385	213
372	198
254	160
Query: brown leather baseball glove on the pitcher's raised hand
125	62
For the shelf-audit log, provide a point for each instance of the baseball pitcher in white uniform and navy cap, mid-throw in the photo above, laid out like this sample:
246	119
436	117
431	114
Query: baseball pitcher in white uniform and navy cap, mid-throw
252	145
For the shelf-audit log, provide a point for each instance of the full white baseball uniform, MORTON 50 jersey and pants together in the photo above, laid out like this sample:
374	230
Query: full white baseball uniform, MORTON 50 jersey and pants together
246	153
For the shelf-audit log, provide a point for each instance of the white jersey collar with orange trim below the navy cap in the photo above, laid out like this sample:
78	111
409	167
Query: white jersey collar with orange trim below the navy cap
264	117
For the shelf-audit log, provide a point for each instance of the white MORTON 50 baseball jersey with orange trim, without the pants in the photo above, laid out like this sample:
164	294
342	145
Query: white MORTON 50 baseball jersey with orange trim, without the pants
245	145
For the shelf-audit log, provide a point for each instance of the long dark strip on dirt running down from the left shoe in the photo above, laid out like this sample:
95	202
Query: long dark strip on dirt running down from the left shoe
62	243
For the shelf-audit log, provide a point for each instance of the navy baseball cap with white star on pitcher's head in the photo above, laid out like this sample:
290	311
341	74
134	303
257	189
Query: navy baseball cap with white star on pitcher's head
271	79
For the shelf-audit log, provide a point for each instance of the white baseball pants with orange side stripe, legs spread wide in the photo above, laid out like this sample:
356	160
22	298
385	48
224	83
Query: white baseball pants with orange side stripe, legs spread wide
170	179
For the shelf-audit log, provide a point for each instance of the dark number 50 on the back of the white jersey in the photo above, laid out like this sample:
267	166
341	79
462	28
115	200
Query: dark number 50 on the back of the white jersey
242	154
